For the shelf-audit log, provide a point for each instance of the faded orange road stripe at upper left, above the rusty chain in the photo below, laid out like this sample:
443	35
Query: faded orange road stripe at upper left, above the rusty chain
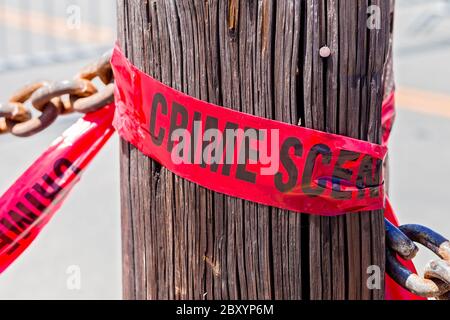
41	23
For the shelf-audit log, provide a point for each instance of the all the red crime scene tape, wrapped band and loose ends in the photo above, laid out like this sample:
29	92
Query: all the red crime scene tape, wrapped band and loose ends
319	173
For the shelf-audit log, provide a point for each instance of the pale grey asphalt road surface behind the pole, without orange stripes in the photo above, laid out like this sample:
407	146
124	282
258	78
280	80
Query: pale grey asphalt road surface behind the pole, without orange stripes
86	231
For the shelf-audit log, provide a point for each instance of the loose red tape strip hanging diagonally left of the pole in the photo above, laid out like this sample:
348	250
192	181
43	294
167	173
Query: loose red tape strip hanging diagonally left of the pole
29	204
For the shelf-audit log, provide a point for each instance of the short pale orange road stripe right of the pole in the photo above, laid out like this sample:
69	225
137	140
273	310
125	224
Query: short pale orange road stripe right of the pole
437	104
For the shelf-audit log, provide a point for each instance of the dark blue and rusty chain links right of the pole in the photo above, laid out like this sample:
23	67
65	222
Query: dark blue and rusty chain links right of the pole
400	241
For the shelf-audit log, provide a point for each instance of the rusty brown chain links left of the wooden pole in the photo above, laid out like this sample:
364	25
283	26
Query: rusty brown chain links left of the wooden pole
48	98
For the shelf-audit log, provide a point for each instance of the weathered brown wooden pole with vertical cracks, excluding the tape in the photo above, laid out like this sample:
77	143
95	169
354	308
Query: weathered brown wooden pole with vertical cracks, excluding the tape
181	241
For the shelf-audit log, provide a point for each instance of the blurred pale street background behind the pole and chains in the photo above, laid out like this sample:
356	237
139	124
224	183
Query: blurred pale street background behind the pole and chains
49	39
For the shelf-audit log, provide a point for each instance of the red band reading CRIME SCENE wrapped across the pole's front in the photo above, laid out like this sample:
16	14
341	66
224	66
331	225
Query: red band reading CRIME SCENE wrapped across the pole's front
307	171
